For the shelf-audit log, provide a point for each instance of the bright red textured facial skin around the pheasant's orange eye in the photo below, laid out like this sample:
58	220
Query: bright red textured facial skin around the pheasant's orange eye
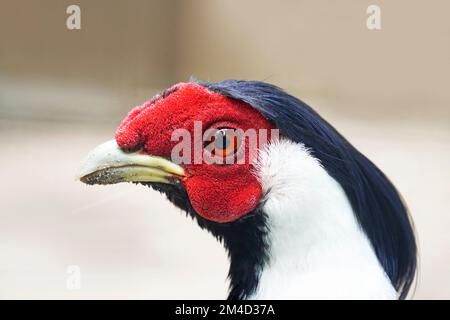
221	193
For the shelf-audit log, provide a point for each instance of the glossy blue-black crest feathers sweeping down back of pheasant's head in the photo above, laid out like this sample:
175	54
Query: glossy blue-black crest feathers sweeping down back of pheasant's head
376	203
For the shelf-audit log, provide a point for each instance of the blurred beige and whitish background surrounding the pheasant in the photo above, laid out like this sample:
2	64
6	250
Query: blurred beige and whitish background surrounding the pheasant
64	91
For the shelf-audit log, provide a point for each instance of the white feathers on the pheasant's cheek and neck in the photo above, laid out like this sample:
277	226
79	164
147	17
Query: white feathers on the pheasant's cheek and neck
316	248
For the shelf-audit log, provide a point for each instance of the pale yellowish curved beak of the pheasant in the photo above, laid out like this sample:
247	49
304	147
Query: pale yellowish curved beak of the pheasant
108	164
